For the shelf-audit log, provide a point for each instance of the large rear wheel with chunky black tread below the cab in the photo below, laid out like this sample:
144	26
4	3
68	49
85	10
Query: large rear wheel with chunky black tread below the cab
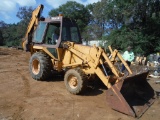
40	66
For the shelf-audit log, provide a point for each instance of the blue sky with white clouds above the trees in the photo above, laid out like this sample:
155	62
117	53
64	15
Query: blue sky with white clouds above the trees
9	8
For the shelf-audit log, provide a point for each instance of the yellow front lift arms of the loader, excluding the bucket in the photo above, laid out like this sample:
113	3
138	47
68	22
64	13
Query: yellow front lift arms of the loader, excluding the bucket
95	62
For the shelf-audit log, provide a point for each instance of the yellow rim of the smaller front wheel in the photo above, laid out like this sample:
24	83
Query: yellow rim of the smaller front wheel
72	81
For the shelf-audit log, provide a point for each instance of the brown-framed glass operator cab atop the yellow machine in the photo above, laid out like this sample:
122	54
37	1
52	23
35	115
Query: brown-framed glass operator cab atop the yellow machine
55	30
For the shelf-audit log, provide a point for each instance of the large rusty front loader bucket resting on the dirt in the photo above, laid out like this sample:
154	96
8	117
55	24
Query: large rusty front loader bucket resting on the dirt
132	95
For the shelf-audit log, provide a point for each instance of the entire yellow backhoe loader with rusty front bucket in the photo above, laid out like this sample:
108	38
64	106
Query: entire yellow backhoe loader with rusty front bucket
127	93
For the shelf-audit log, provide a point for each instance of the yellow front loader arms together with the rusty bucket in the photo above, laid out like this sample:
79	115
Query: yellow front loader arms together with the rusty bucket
127	93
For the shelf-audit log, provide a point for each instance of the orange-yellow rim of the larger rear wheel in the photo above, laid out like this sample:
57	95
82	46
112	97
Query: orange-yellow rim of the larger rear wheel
35	66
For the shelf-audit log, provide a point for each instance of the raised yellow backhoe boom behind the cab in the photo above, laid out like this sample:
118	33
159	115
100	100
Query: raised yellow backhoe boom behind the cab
32	25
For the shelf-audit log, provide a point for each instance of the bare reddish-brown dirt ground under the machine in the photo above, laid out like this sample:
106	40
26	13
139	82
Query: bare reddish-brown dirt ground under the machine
23	98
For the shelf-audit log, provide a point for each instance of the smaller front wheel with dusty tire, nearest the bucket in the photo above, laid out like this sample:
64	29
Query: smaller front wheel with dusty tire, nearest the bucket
75	81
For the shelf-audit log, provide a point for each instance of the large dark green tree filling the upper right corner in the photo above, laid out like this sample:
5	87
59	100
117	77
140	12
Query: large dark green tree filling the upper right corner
139	25
